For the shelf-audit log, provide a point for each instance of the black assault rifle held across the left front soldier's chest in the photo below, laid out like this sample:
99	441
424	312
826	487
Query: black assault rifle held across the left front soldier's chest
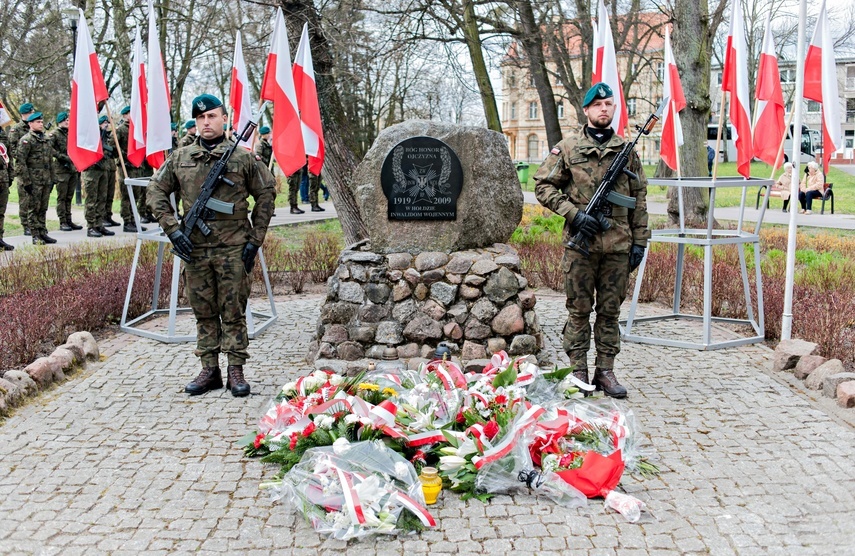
205	205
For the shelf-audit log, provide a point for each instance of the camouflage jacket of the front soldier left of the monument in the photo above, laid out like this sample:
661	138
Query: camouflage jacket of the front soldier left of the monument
185	171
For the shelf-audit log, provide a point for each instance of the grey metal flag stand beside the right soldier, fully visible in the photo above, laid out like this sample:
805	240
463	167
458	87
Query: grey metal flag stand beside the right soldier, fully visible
708	239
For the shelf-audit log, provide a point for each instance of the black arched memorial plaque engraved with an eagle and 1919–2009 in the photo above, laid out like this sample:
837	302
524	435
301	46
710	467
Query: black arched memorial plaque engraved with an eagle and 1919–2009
421	179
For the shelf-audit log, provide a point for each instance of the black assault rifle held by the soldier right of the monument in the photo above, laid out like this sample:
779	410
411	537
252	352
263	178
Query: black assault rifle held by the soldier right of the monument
606	193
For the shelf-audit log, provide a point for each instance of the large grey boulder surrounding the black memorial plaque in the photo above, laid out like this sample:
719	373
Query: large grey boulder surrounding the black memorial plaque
489	206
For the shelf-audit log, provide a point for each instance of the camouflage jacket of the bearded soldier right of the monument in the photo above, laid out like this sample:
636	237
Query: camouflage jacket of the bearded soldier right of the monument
568	178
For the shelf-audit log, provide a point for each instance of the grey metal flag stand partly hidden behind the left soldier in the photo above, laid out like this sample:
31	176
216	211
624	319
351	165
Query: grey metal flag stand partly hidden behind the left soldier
265	319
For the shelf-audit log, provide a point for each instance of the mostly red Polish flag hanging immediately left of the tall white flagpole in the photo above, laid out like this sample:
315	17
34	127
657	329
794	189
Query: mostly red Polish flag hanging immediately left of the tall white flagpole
769	125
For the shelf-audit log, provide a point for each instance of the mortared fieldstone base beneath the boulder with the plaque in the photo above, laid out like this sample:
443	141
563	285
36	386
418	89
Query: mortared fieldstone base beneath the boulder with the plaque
475	301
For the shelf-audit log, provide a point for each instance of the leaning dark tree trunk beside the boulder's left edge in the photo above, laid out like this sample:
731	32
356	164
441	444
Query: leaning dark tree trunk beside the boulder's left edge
340	160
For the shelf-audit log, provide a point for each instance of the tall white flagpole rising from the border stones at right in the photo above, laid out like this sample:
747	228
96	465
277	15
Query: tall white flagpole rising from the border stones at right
787	316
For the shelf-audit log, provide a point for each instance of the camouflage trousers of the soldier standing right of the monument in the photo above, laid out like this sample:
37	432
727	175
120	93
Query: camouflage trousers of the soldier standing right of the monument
601	277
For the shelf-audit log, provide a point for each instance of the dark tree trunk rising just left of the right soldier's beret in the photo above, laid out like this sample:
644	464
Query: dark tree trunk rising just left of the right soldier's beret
532	42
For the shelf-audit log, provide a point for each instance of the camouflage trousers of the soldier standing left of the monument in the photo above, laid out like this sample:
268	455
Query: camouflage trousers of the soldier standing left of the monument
218	288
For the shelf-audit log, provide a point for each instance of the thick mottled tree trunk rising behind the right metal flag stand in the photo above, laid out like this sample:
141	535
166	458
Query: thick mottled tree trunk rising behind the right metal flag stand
692	51
